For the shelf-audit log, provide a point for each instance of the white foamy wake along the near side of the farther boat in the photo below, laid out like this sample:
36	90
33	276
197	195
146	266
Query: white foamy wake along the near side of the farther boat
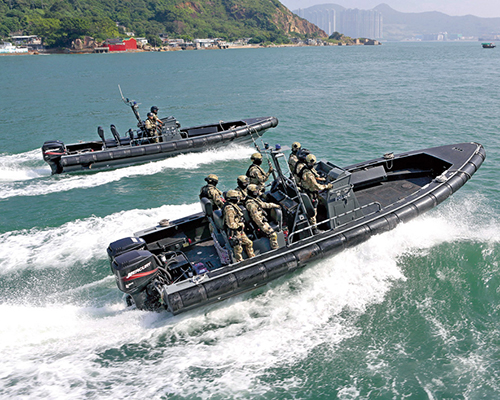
63	183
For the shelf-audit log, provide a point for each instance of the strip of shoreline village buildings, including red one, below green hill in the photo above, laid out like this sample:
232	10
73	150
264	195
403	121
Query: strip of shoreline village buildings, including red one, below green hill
32	44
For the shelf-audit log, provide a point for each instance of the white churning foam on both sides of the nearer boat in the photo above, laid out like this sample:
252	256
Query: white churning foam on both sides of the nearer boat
227	350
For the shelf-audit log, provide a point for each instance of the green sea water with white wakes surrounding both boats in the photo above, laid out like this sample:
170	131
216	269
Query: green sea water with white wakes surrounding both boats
412	313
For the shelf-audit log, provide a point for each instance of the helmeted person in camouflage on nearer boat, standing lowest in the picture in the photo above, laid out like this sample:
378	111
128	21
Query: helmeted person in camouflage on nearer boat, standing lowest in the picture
235	227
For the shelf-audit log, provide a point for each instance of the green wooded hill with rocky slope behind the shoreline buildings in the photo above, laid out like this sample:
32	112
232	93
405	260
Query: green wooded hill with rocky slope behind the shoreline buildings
59	22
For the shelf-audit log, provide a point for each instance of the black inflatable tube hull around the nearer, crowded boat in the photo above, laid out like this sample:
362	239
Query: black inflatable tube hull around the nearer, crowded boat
457	164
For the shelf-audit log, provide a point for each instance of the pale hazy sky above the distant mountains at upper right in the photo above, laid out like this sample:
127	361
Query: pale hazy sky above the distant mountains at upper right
479	8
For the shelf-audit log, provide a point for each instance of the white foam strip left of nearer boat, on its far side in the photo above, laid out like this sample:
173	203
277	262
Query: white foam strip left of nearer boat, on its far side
80	241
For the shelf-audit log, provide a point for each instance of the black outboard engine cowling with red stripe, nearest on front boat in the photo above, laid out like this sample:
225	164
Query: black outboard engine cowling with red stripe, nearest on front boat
134	270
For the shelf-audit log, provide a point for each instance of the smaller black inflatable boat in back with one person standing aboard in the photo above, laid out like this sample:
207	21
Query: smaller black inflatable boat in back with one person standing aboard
138	148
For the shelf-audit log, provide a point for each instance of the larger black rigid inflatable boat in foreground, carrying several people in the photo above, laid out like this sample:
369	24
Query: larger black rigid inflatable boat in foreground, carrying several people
187	263
